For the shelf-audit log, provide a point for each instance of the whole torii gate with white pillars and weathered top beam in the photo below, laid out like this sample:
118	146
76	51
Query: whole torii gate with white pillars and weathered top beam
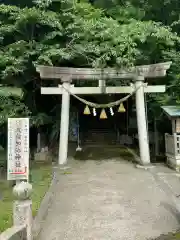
138	75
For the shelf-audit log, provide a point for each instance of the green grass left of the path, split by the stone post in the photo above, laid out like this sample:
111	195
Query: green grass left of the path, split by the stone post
41	175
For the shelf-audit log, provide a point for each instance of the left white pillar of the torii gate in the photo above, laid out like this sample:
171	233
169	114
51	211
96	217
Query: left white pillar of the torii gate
64	125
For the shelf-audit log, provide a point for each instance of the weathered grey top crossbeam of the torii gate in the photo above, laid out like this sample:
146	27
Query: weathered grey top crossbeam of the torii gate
146	71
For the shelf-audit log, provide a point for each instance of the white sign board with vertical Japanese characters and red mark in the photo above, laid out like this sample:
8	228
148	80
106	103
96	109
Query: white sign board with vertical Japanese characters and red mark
18	149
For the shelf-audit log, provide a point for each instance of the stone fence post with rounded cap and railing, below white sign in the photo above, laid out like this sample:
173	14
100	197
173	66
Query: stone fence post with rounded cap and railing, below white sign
22	214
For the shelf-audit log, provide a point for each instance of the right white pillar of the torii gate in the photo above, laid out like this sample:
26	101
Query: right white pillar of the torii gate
142	121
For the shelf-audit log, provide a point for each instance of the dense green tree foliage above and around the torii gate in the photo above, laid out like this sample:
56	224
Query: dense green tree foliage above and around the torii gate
117	33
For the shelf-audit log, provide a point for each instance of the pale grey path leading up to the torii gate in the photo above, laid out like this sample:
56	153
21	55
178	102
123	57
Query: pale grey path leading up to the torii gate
108	200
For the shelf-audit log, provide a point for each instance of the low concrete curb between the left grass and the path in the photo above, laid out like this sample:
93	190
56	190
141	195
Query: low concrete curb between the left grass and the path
45	204
